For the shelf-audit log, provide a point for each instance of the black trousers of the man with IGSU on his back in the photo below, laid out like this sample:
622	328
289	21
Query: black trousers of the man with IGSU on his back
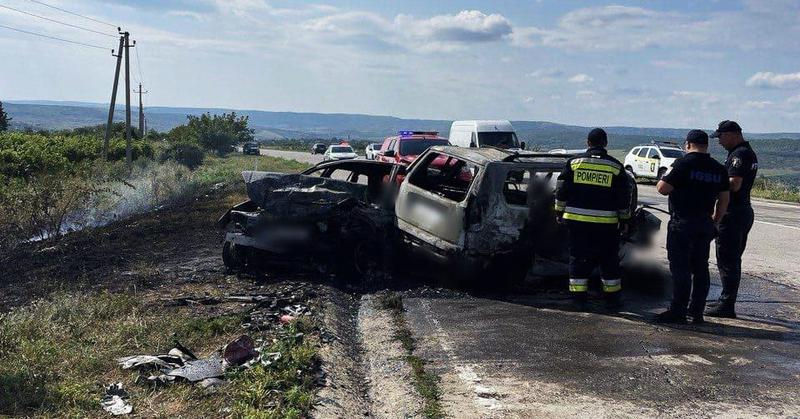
688	246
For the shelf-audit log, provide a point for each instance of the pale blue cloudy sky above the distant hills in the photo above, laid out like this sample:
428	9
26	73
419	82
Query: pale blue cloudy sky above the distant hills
681	64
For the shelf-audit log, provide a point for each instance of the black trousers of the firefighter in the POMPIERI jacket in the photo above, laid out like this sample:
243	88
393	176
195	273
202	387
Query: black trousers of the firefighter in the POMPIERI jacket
592	245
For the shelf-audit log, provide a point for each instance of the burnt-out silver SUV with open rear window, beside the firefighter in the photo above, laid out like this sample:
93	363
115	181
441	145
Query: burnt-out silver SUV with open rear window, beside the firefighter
489	212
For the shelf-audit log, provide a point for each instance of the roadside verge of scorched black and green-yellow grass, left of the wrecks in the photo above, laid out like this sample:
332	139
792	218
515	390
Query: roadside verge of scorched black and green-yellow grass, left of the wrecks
70	307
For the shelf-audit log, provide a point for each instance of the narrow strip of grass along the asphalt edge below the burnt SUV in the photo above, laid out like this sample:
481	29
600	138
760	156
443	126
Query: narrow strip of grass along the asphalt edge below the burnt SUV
425	382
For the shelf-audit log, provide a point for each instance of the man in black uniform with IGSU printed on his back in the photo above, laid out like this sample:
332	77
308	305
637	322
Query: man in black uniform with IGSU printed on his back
698	193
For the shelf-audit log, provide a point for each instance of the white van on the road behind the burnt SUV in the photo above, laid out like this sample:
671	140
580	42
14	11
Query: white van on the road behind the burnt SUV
499	134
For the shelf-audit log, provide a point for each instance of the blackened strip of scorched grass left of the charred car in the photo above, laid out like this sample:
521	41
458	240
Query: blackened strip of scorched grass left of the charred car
152	250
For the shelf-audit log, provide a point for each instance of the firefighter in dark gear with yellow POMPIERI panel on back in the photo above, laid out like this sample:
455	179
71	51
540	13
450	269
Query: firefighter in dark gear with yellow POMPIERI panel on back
593	197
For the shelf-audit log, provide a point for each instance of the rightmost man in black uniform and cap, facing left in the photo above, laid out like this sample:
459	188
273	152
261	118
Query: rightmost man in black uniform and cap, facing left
742	165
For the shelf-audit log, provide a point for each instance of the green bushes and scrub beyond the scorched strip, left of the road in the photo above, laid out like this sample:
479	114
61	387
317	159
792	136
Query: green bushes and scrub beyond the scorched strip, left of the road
55	182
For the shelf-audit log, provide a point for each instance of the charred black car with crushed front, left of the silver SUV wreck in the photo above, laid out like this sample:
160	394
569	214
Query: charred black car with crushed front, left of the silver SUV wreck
336	215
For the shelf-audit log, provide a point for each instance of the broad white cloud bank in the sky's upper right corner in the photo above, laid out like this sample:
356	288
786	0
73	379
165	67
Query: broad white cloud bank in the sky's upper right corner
626	28
